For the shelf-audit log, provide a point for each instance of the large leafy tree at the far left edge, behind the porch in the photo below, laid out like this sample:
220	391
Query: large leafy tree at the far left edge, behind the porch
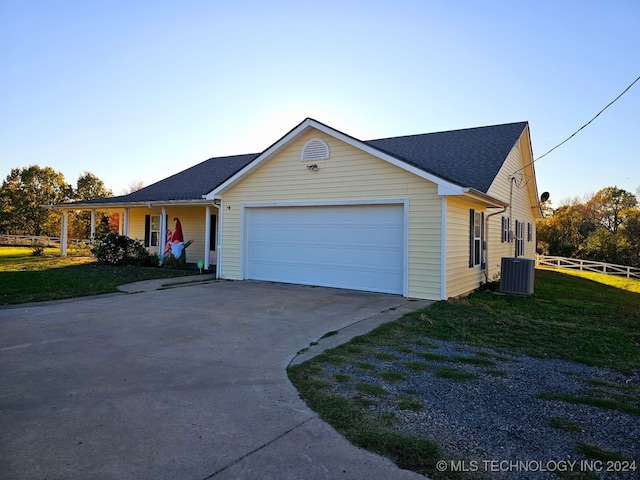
22	196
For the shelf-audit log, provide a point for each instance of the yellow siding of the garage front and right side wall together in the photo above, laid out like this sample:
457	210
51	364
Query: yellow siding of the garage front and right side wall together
351	175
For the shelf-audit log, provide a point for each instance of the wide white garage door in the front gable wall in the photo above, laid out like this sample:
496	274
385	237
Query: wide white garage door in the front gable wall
356	246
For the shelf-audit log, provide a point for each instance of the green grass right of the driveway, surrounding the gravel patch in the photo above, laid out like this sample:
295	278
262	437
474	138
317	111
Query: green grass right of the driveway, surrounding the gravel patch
569	317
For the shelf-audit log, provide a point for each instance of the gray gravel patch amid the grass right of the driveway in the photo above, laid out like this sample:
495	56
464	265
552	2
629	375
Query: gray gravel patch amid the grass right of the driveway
495	421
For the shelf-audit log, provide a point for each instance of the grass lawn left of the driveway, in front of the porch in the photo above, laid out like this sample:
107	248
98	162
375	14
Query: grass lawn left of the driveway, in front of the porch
26	278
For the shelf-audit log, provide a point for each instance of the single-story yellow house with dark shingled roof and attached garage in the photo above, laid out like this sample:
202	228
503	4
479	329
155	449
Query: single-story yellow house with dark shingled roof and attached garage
425	216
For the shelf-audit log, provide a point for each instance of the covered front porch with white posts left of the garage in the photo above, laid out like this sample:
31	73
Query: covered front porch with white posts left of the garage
158	225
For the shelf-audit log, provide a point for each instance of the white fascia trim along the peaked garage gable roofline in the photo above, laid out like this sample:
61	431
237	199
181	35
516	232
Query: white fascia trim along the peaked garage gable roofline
446	186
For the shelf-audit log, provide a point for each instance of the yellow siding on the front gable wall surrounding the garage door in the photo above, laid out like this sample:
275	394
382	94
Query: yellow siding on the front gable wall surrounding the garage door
348	175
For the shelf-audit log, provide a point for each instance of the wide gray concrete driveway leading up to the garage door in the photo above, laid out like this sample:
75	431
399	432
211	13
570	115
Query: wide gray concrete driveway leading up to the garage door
183	383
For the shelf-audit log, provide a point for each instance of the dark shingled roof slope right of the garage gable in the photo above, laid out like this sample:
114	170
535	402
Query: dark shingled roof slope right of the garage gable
470	158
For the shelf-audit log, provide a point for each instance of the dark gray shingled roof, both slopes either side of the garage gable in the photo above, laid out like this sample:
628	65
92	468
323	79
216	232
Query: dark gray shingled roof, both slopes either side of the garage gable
470	157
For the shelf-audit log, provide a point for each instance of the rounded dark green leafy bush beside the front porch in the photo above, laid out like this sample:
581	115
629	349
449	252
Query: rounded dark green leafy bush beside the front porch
121	250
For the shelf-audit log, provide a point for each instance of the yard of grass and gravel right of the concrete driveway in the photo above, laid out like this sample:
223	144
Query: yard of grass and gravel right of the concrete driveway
550	378
